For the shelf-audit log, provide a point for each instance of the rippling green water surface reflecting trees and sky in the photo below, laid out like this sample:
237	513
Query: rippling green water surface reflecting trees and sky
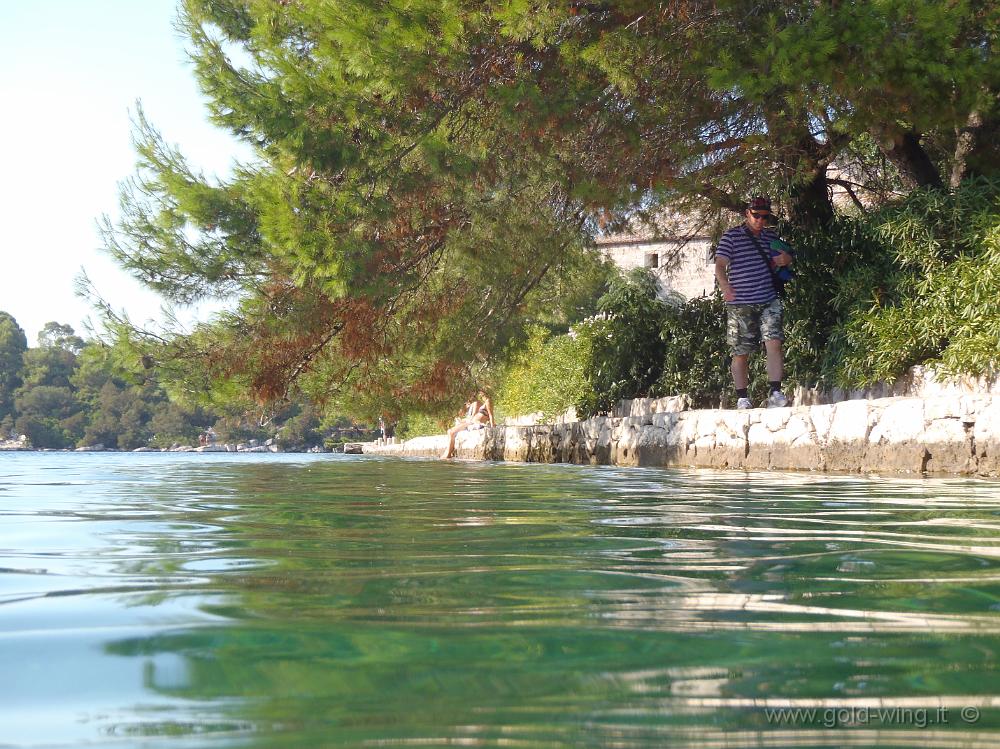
292	601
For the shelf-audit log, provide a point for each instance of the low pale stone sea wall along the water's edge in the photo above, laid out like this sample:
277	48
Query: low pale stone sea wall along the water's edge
943	434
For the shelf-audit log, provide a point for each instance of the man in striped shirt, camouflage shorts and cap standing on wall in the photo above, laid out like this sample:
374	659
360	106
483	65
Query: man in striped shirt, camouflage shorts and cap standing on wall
744	268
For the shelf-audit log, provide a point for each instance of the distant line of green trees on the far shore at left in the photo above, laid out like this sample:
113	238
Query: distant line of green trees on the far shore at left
68	392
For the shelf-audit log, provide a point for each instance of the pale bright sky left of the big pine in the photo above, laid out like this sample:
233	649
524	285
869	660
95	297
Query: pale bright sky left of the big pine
71	72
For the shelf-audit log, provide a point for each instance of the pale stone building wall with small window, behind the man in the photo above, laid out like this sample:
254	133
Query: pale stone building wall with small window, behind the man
686	269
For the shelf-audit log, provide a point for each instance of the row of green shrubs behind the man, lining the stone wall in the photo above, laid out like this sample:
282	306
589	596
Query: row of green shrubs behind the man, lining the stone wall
916	282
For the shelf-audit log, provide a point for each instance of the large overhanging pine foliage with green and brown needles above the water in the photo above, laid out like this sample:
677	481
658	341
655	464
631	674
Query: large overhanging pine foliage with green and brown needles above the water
429	173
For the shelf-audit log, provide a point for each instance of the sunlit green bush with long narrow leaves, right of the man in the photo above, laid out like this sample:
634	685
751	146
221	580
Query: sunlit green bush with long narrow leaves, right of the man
934	294
